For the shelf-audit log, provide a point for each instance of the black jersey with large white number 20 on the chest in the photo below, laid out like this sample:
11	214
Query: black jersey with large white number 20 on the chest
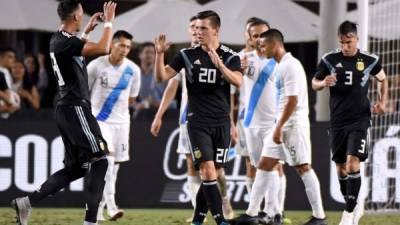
208	90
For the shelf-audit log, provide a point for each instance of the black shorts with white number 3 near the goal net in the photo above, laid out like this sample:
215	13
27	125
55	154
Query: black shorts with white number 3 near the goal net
352	139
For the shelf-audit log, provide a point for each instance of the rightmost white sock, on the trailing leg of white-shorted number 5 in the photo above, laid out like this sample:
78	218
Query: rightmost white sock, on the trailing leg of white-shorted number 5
313	192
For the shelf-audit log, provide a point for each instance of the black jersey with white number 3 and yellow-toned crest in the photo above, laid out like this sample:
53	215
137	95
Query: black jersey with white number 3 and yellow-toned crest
349	102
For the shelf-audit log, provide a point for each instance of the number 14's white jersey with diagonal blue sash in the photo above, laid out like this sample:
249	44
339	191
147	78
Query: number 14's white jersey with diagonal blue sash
110	88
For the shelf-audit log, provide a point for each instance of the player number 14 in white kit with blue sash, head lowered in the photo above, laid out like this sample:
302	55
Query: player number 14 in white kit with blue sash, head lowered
114	83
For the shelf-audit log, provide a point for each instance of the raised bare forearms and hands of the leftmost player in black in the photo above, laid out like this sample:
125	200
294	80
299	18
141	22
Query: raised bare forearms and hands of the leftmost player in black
103	46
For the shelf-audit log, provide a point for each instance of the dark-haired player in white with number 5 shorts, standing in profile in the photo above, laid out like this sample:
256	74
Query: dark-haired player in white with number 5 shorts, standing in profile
290	139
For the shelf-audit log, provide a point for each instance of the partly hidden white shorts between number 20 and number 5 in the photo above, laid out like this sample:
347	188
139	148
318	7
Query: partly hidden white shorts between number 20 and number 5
256	139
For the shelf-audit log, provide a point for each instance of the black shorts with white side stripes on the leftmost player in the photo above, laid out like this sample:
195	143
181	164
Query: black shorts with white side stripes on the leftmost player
80	133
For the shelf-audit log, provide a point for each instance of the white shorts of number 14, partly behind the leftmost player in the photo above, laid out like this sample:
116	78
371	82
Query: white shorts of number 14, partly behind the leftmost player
117	138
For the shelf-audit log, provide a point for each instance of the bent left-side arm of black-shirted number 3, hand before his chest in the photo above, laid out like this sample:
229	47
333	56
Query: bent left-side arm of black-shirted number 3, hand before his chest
323	78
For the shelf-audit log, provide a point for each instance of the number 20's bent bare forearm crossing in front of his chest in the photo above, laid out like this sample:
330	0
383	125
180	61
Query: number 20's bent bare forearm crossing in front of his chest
233	77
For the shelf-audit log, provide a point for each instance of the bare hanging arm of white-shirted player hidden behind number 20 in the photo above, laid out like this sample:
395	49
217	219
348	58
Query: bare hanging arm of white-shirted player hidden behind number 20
168	96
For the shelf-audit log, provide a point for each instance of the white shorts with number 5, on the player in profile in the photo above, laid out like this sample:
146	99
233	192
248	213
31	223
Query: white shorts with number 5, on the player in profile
295	148
